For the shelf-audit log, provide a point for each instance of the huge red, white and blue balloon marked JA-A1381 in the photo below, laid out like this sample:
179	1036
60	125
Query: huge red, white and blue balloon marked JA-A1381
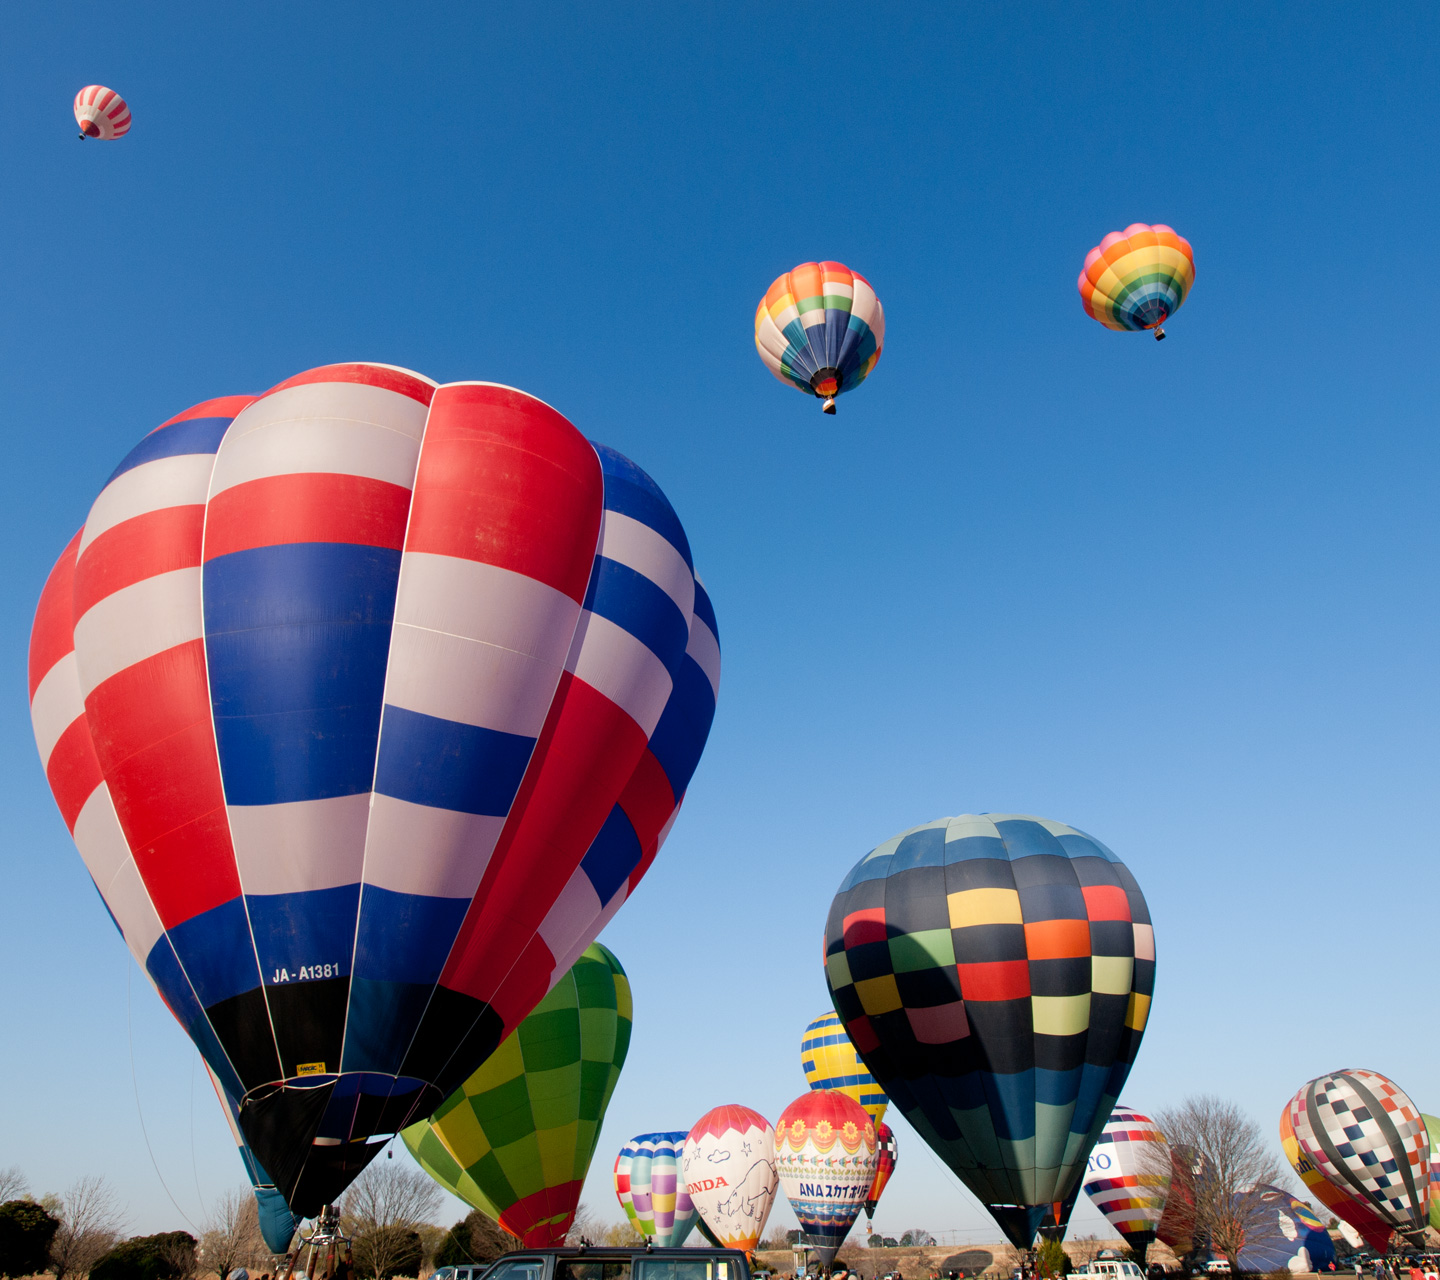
368	703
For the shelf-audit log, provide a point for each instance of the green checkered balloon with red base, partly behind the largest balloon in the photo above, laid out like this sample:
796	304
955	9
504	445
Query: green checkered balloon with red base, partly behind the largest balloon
518	1138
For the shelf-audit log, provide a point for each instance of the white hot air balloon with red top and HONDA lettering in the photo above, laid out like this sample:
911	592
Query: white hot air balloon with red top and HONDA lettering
729	1170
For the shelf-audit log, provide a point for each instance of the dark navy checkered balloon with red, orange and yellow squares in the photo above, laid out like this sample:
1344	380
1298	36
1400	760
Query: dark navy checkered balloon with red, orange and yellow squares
996	975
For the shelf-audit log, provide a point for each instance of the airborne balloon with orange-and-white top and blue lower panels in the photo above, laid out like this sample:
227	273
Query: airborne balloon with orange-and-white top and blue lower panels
822	329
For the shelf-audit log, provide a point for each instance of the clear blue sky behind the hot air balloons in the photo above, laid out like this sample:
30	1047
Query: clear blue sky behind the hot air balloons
1182	597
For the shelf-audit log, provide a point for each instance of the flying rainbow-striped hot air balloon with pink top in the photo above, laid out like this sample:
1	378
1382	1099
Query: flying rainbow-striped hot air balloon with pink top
1137	279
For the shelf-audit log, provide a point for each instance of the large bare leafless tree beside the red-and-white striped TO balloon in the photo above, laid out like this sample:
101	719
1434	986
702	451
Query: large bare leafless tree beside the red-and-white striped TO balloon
1220	1163
